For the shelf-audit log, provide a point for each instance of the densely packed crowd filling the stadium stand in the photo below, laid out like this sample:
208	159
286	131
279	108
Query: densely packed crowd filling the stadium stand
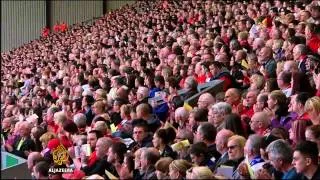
108	93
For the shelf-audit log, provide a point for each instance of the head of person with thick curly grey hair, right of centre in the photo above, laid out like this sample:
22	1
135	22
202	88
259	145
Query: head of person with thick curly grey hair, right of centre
217	113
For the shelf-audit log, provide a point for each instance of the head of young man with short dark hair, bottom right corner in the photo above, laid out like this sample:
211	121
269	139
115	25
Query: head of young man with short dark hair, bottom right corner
305	155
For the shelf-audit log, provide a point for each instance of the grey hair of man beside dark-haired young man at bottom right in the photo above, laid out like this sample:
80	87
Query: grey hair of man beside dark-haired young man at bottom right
281	149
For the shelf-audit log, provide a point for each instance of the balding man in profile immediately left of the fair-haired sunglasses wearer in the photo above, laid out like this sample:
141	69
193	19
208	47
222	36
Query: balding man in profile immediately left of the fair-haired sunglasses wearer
222	146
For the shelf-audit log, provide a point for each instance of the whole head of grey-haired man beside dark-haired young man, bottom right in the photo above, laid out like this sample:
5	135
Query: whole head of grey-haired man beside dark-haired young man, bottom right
280	154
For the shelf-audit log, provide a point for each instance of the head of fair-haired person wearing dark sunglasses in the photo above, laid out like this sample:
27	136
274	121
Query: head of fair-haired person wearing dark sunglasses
236	147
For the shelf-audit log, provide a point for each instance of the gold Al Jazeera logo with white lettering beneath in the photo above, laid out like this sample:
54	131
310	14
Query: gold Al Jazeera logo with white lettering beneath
60	157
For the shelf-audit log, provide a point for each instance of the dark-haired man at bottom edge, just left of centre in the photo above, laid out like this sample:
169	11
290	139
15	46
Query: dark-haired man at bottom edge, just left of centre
148	159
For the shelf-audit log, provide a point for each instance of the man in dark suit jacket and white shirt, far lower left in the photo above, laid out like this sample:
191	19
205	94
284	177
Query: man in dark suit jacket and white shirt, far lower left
24	144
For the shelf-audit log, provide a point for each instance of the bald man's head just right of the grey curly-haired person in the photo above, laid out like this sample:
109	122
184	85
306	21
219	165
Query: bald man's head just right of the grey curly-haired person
260	123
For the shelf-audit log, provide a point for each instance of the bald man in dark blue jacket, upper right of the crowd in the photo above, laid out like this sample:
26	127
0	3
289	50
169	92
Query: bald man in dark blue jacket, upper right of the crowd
265	58
